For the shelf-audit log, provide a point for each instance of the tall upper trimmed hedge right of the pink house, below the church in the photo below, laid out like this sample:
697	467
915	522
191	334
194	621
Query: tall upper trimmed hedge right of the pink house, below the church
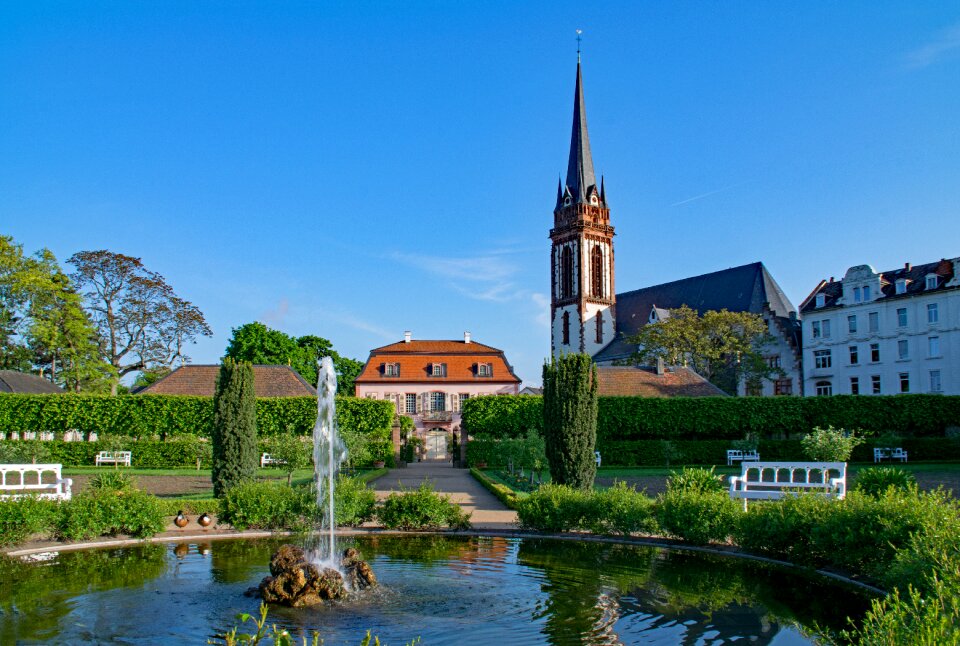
687	418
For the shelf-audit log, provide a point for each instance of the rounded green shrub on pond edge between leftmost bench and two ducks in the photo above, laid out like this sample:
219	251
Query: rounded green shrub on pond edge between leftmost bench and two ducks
109	512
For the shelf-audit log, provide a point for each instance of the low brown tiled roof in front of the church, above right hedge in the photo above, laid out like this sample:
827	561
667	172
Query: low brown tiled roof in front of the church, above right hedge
645	382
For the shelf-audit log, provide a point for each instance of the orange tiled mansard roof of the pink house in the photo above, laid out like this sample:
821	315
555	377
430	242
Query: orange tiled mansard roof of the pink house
416	359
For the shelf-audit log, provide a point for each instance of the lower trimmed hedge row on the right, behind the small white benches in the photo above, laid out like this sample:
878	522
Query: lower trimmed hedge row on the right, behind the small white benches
652	453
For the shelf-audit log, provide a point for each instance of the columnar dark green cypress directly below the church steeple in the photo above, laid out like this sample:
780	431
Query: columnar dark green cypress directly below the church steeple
570	419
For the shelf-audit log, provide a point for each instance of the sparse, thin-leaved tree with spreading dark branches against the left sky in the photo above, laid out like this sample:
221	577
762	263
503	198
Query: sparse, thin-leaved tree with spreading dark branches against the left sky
140	322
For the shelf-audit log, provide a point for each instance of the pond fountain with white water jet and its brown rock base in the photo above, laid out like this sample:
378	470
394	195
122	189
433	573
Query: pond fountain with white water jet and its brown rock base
301	578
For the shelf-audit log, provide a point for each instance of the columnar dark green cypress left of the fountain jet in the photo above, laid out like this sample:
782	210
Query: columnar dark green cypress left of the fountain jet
234	436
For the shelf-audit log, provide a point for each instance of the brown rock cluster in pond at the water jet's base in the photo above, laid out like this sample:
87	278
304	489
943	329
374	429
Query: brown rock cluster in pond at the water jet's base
298	583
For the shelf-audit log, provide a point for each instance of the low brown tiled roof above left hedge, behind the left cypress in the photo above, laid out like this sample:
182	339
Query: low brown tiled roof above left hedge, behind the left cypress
201	380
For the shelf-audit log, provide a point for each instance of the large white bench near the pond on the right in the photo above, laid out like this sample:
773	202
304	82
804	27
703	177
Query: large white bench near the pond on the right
775	480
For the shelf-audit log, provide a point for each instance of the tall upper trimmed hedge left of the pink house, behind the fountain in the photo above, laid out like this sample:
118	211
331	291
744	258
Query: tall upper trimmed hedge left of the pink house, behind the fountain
163	415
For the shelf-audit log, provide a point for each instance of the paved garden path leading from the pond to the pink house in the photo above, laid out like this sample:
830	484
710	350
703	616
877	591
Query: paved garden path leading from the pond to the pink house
487	512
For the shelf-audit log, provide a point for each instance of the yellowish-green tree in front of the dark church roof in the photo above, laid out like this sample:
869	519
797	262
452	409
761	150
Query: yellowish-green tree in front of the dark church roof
722	346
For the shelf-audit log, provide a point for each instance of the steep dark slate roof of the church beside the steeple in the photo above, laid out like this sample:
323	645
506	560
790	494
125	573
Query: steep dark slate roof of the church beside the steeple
739	289
